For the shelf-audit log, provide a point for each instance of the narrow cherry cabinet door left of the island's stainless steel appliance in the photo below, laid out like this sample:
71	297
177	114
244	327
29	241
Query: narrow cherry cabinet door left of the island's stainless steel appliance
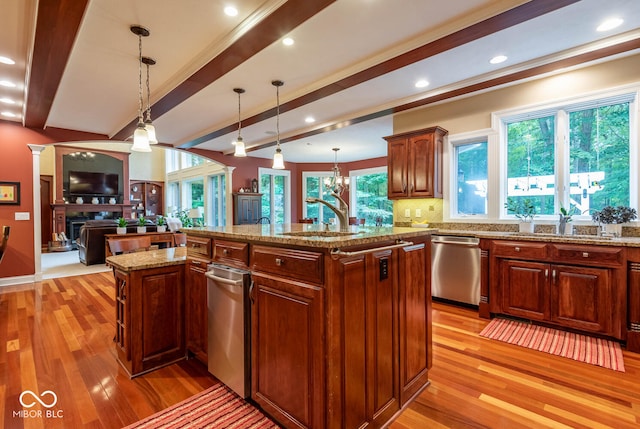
196	313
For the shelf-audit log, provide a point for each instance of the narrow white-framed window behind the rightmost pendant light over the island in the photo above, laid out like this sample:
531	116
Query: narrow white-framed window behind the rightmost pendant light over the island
275	187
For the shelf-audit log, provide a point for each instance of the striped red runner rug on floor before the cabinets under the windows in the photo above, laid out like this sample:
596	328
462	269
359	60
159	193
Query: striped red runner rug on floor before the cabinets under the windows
595	351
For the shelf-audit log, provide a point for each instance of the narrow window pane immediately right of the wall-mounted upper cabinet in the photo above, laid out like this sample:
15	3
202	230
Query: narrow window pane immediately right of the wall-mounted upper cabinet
471	178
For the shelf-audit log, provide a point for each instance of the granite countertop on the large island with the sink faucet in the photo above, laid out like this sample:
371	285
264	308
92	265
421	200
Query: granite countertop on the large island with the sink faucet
309	235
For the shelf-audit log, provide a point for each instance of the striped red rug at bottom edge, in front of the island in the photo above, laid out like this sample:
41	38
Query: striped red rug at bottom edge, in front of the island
217	407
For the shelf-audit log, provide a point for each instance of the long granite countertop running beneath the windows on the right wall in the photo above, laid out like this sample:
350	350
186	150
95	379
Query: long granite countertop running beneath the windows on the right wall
547	237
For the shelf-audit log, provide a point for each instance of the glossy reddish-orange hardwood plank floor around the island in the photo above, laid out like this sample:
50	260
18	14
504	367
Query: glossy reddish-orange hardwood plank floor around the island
57	335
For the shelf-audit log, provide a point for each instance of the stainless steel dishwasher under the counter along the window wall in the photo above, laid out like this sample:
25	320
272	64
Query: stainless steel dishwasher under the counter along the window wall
455	268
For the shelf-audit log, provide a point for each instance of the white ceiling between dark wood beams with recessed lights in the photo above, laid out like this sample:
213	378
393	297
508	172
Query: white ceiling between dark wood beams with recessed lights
98	91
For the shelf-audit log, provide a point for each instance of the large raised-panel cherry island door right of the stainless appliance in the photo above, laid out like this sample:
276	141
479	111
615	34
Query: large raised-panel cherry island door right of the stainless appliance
287	350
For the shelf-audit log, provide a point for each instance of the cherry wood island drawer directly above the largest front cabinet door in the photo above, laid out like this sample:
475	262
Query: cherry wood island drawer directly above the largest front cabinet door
296	264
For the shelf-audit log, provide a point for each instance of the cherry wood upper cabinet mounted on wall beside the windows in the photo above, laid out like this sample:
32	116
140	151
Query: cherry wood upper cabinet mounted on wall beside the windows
415	163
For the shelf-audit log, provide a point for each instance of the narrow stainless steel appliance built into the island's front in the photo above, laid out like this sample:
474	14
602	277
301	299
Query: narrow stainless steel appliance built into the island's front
229	323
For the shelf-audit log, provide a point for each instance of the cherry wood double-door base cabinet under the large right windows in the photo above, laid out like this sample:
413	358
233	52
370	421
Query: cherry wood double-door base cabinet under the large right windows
575	286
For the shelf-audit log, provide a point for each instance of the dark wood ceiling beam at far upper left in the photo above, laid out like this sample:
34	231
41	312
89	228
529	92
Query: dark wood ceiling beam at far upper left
57	24
